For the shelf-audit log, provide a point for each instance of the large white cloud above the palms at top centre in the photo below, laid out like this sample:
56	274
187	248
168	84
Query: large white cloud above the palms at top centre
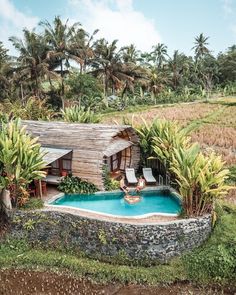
116	19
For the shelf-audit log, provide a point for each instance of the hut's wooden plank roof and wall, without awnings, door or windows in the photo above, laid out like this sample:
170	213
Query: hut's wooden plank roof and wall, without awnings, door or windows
88	142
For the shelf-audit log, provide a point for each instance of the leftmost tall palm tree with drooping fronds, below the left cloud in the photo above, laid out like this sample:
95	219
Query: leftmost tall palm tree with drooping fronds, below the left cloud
32	62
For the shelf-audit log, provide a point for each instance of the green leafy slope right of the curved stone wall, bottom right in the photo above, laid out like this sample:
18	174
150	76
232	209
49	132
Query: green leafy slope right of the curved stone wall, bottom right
215	261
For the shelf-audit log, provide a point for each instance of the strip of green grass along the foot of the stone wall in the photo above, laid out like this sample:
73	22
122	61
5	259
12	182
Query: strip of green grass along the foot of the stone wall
15	254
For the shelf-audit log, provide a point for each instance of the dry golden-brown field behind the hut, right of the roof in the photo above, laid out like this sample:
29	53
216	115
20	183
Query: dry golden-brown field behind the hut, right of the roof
212	124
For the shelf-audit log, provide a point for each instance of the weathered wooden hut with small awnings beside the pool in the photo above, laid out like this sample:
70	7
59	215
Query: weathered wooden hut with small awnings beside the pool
84	149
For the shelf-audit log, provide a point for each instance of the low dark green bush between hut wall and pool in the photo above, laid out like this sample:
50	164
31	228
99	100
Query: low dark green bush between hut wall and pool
75	185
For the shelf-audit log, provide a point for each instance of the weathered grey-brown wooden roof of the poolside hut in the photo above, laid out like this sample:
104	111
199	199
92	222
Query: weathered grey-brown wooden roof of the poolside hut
86	137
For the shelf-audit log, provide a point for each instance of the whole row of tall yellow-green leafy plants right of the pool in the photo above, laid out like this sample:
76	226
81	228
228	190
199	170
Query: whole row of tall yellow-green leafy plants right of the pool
200	178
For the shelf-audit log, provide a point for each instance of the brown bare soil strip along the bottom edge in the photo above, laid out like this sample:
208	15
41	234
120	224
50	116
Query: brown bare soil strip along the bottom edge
20	282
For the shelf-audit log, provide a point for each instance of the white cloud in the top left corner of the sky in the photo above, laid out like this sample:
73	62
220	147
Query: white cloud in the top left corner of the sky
12	21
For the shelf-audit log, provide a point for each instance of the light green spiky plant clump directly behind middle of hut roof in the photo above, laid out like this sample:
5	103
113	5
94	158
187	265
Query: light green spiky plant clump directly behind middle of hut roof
80	115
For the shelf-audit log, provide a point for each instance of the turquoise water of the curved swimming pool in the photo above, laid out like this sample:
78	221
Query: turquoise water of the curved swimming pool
114	203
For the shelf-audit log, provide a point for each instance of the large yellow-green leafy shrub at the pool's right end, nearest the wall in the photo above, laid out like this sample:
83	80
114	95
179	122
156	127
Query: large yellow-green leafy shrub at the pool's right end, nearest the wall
201	179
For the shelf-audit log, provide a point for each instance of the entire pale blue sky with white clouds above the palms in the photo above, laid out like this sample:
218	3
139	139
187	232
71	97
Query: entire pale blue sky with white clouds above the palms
142	22
